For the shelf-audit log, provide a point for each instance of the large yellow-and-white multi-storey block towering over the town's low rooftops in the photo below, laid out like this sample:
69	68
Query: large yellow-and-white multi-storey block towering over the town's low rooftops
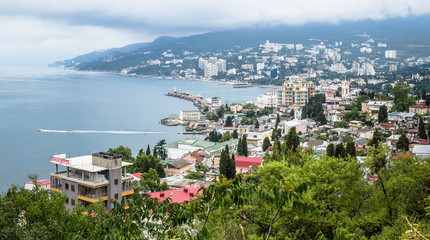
297	92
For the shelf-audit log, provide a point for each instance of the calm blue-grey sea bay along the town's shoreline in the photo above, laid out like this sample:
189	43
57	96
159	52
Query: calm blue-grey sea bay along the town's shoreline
42	98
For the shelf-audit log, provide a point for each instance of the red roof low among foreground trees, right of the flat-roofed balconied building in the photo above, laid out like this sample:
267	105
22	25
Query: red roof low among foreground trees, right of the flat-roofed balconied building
180	195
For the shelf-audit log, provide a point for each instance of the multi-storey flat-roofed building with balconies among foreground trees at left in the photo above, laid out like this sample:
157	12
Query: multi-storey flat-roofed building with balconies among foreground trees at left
90	178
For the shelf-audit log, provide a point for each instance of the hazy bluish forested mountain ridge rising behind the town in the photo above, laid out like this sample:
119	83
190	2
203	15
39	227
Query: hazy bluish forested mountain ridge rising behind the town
397	32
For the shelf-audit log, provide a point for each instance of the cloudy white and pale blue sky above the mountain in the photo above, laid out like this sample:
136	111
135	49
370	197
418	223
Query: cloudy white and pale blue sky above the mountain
44	31
